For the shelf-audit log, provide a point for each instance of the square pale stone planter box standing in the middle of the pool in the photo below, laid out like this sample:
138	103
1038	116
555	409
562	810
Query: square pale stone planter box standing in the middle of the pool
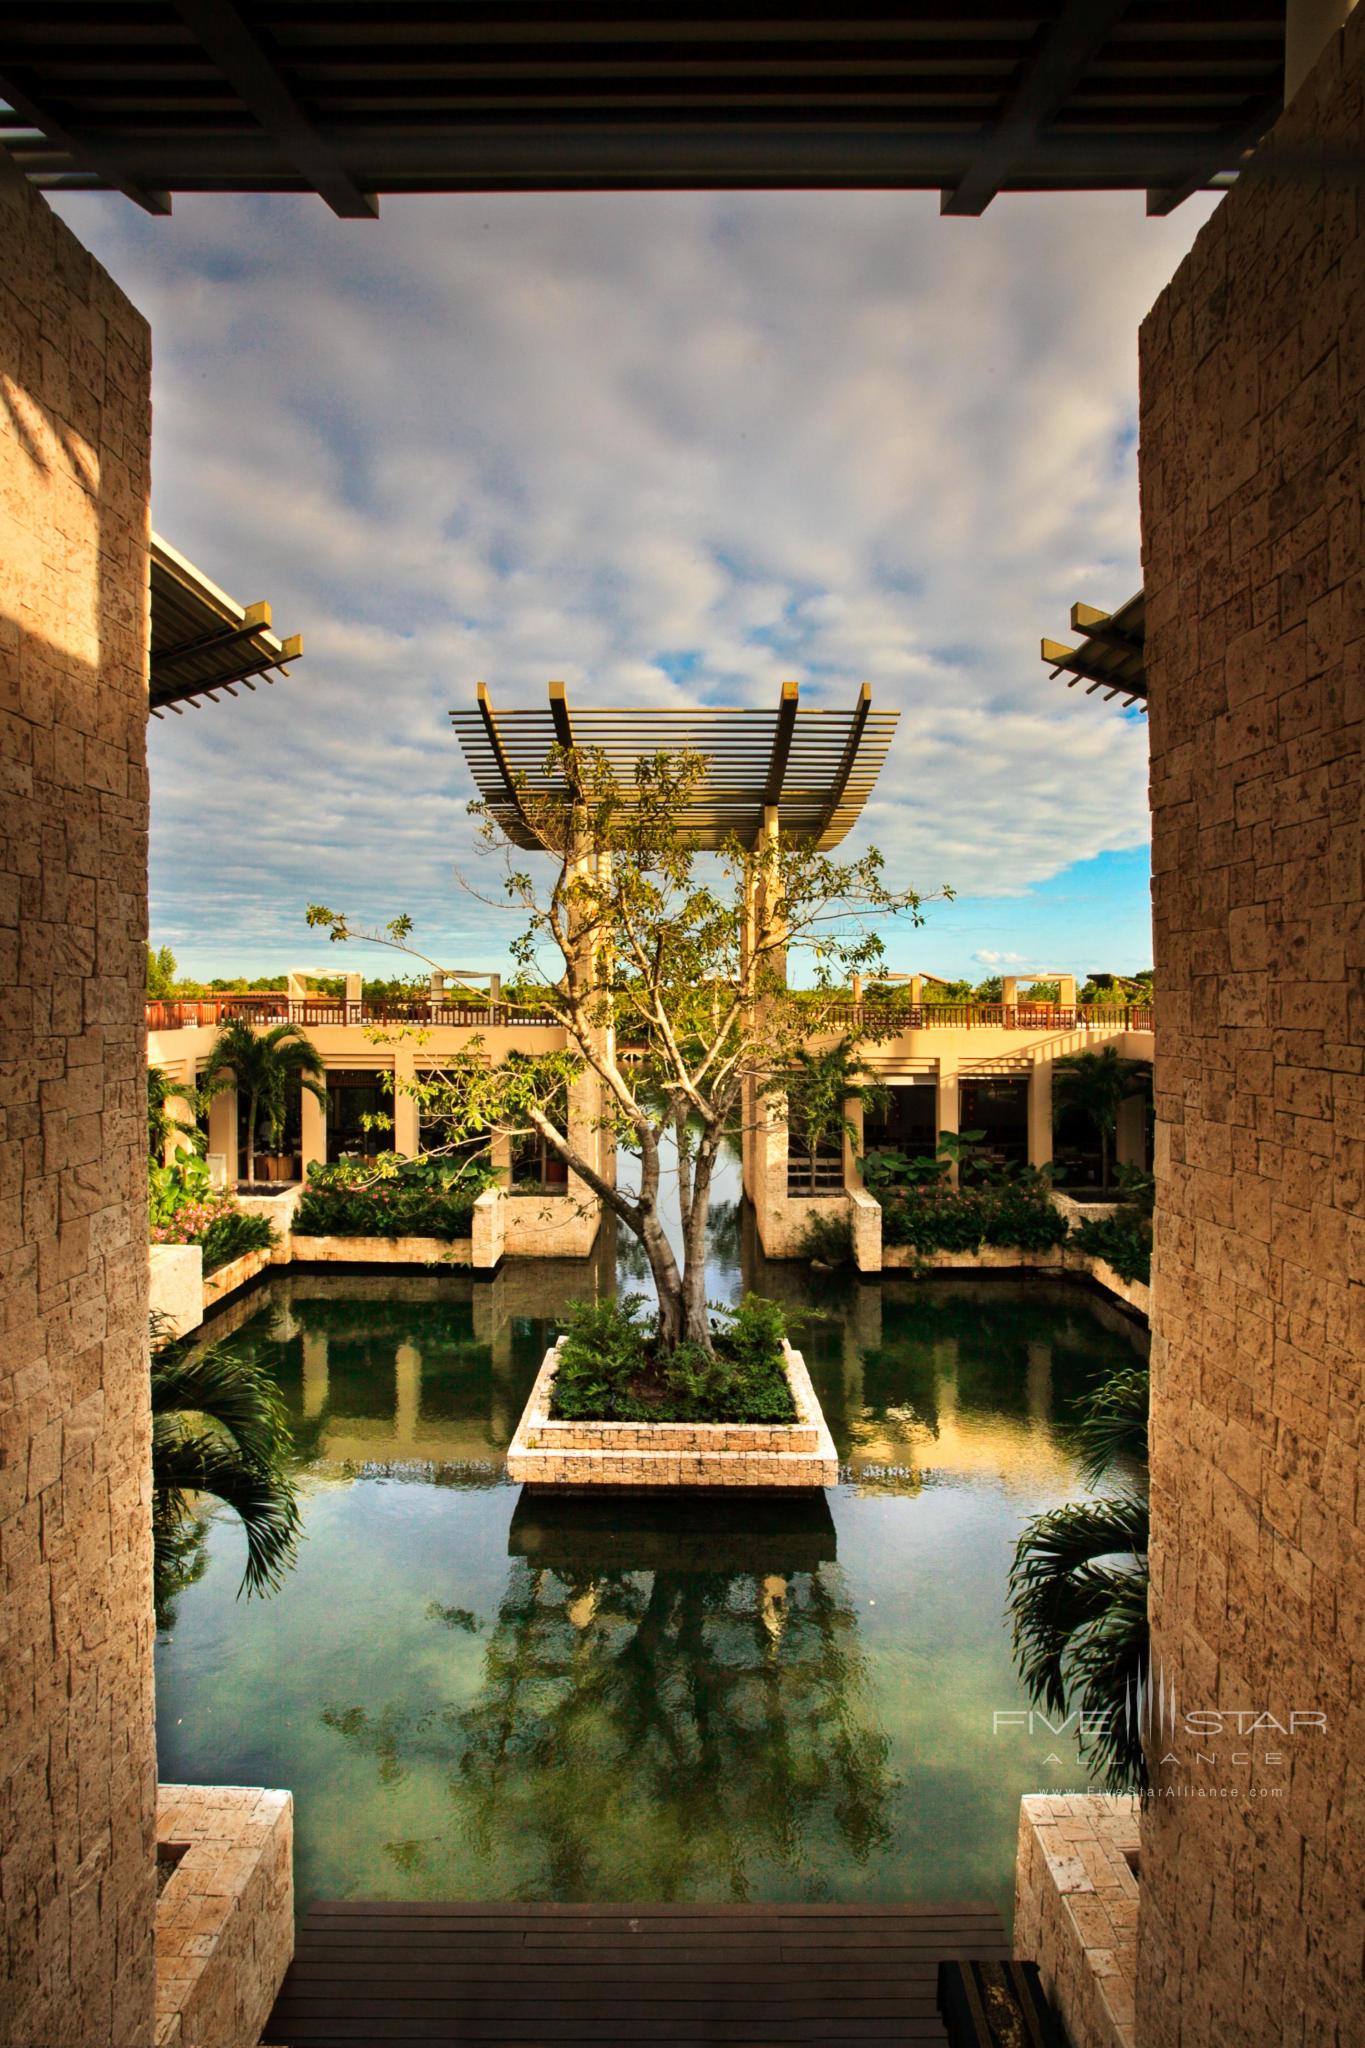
674	1453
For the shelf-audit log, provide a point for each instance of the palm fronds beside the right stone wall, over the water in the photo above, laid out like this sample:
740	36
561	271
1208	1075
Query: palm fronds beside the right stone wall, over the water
1080	1588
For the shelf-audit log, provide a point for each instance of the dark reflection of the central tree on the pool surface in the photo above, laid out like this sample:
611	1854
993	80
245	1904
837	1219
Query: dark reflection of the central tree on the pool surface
654	1734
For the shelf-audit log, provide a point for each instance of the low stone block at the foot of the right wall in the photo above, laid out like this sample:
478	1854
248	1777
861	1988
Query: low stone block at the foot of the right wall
1077	1912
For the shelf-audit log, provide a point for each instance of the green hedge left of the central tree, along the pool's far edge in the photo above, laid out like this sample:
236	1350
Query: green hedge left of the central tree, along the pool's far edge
392	1197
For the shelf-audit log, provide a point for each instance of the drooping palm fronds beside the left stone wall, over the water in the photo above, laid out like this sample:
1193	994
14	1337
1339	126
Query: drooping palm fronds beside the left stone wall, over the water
218	1426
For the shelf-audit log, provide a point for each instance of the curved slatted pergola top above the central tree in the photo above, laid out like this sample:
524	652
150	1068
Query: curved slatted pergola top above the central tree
813	767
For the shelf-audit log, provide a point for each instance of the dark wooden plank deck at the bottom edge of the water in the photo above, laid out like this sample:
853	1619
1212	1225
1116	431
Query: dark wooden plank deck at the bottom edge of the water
547	1975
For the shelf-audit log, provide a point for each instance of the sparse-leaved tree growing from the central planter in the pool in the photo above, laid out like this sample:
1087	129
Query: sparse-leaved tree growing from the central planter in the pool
637	947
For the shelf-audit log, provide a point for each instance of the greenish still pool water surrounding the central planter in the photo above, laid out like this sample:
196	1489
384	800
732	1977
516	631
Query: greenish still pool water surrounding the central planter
480	1697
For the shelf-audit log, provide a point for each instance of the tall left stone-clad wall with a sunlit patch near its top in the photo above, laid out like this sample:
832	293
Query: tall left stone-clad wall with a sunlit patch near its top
79	1764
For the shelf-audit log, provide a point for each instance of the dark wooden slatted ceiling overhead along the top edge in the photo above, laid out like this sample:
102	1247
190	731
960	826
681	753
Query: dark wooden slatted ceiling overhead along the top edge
355	99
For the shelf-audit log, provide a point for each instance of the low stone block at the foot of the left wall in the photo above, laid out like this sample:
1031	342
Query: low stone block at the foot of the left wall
226	1918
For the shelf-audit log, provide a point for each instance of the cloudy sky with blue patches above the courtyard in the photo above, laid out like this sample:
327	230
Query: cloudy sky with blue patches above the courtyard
664	447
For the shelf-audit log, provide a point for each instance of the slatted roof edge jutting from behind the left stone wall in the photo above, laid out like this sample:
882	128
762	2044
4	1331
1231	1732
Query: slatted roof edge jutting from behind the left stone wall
204	640
